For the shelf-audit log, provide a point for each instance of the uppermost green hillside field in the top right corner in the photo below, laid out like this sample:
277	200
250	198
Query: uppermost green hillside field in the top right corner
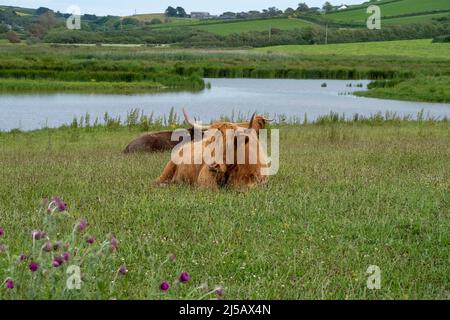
391	9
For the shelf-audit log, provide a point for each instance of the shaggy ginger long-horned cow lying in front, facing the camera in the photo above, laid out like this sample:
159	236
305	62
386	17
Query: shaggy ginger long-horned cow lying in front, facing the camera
240	174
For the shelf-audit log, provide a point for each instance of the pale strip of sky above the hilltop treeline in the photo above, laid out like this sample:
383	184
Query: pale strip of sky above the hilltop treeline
128	7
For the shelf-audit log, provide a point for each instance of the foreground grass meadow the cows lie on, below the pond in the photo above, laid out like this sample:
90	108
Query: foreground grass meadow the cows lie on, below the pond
371	194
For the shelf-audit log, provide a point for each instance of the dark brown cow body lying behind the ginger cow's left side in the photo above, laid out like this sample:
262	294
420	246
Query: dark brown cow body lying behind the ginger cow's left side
154	142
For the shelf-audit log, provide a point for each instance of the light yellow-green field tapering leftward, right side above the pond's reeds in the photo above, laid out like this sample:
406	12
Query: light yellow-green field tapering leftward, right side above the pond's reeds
407	48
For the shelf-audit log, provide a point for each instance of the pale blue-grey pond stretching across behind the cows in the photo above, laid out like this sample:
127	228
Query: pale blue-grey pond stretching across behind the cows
241	96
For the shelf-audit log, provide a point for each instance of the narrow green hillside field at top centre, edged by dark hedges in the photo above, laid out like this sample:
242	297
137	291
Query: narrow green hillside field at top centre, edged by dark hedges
254	25
